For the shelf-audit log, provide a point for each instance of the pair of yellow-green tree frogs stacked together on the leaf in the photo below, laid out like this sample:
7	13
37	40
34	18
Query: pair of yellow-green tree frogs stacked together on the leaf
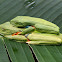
31	30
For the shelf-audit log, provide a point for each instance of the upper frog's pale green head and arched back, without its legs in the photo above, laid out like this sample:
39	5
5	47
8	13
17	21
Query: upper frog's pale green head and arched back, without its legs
30	20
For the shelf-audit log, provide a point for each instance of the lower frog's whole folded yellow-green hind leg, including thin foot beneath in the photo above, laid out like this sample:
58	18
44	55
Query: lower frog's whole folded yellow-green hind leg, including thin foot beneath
43	39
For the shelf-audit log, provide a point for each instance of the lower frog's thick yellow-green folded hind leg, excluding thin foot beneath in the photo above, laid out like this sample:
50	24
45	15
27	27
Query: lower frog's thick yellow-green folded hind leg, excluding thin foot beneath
44	37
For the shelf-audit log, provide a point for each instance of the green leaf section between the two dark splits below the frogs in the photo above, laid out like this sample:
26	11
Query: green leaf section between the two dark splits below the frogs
18	52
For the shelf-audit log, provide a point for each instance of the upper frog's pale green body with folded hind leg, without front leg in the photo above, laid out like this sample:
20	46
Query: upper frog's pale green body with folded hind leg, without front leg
40	24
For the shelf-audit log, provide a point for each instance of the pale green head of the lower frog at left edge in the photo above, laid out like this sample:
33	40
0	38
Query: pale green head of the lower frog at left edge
7	28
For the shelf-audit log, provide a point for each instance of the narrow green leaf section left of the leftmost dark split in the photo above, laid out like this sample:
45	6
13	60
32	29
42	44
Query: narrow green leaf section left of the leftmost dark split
3	53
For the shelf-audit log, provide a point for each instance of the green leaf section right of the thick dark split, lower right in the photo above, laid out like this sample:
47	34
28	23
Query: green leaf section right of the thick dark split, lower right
48	53
